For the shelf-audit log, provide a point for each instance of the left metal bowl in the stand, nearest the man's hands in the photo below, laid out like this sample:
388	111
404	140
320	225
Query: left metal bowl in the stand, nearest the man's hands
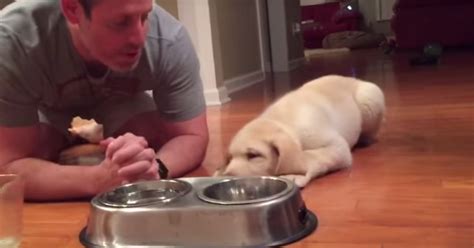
144	193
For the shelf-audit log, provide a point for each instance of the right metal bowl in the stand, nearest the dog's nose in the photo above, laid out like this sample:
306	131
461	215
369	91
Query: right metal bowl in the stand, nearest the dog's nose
245	190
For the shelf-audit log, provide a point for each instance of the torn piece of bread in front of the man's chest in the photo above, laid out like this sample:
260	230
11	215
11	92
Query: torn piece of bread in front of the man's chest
89	130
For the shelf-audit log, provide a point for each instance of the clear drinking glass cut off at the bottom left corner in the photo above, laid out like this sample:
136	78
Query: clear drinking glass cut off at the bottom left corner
11	210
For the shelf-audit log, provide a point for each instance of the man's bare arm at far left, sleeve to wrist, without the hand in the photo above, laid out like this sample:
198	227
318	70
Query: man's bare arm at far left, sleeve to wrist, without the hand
44	180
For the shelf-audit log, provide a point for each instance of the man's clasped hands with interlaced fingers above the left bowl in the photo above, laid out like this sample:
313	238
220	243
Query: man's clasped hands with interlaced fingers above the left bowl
131	157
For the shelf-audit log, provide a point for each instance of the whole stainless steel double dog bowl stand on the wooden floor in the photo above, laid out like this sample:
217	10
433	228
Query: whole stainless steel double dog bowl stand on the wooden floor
199	212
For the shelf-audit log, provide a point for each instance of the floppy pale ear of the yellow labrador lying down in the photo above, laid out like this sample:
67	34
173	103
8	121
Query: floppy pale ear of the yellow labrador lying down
288	153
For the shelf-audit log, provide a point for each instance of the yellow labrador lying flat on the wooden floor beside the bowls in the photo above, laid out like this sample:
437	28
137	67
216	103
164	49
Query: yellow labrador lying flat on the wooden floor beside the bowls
308	132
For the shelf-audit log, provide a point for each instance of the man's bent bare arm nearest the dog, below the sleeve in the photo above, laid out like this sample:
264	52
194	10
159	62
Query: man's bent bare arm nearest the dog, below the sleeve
186	145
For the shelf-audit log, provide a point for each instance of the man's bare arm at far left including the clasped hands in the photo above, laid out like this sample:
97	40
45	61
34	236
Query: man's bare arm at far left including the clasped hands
127	158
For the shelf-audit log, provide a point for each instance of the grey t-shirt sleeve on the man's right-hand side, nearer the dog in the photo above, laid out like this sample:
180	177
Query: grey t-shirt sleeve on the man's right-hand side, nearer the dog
180	95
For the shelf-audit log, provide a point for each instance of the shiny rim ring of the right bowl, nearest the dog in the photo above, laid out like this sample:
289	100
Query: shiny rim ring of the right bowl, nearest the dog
289	187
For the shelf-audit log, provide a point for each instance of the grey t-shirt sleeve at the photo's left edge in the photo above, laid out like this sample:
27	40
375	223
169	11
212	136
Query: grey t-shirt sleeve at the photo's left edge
18	106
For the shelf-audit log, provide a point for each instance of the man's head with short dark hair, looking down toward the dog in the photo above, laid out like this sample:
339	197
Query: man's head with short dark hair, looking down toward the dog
109	32
